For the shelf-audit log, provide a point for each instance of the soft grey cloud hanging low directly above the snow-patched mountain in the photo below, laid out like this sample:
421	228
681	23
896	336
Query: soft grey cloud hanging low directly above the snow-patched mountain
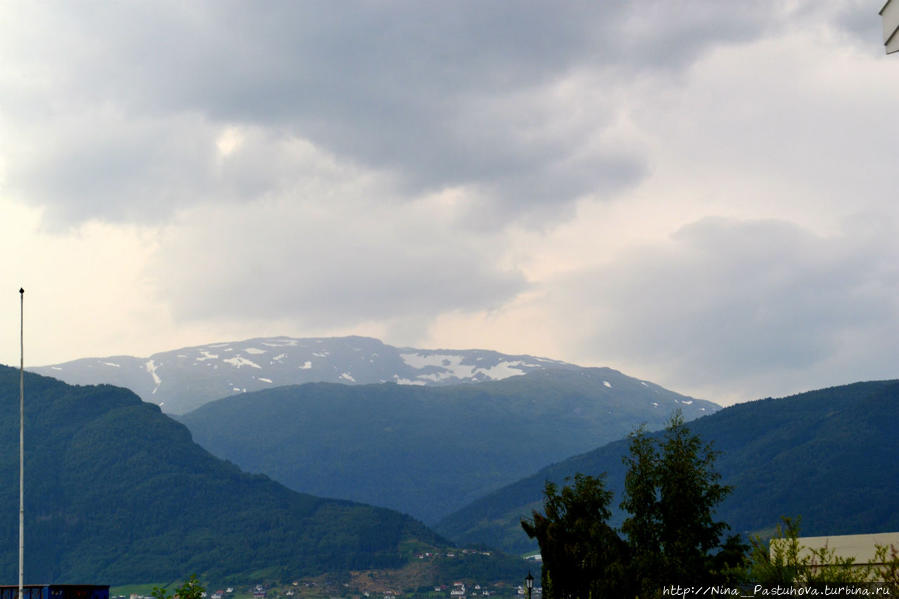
320	270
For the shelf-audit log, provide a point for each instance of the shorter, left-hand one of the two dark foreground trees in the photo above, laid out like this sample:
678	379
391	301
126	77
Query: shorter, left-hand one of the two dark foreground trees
583	557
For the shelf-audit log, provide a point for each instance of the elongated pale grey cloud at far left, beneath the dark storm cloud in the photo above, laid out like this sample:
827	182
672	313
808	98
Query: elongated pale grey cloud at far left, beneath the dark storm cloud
144	169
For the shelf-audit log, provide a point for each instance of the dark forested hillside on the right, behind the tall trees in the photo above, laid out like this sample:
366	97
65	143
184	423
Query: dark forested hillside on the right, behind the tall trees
831	456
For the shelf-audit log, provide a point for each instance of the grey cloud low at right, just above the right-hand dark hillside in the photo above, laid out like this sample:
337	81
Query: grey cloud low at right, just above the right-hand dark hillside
743	304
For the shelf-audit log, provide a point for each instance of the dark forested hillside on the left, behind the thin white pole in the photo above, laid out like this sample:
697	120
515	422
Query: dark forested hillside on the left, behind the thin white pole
116	492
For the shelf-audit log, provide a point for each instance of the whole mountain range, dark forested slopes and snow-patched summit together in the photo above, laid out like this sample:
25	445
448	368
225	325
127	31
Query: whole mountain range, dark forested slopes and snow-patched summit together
123	493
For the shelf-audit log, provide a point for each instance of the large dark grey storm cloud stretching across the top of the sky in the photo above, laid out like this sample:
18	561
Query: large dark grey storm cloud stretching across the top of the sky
439	95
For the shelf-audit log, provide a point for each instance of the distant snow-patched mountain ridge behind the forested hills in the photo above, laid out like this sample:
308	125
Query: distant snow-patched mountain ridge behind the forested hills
184	379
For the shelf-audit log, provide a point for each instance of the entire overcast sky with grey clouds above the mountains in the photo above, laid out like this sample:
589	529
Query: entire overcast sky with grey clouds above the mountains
698	193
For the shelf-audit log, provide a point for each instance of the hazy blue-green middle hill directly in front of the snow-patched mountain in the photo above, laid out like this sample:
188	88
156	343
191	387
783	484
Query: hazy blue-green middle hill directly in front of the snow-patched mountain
428	451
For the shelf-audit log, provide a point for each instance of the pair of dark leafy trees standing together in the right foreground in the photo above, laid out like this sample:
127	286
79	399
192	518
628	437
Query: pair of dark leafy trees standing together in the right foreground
671	491
